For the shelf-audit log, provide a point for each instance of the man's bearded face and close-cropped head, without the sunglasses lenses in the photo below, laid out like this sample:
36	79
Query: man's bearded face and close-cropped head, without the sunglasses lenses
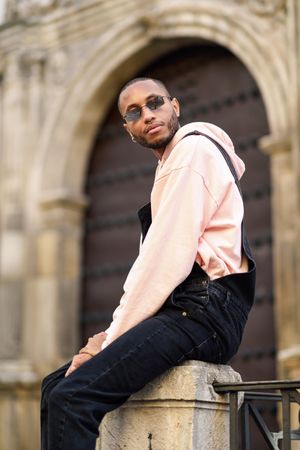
154	128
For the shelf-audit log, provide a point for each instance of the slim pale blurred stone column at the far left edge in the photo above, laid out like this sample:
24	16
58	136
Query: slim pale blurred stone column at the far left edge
12	224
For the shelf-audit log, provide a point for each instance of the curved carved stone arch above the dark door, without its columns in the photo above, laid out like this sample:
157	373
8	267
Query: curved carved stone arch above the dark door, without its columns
122	52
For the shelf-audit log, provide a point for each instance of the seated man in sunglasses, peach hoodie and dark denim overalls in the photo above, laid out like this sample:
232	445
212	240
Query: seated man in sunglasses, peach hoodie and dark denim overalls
188	294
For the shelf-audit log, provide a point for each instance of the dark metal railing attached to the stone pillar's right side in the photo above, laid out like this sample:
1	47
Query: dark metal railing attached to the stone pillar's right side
256	391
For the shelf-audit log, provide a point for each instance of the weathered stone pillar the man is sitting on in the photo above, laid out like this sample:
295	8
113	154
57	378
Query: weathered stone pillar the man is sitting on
178	410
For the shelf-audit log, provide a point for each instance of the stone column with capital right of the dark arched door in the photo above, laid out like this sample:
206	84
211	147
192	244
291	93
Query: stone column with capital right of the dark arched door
285	249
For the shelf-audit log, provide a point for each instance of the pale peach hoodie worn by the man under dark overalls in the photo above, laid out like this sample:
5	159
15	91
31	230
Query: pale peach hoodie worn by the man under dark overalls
197	212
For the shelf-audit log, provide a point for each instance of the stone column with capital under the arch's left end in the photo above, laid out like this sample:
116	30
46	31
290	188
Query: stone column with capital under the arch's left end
52	296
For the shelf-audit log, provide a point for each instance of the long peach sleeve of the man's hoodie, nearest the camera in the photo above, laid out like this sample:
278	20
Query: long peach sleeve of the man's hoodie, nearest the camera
169	250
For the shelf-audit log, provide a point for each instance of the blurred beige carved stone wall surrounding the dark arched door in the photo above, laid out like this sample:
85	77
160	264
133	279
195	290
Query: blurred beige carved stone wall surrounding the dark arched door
61	64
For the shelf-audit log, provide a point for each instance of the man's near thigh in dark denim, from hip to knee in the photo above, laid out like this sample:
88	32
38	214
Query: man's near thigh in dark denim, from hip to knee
138	356
